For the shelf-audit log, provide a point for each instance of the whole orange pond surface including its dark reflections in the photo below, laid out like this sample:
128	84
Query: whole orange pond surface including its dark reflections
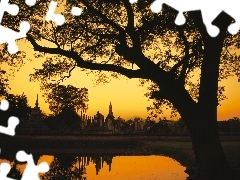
79	167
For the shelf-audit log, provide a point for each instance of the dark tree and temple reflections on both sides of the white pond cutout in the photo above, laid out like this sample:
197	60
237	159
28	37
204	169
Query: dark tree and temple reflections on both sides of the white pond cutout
66	167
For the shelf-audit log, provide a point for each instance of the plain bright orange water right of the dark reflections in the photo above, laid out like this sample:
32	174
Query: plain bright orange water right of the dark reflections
138	167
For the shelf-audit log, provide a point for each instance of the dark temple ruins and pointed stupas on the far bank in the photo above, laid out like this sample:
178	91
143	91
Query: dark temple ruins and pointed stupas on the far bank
96	124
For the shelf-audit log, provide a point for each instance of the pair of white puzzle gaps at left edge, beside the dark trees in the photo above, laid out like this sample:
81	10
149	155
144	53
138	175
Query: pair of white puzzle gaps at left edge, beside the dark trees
12	121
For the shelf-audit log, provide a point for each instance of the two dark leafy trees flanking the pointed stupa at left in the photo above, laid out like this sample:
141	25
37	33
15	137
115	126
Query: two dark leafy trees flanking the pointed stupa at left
64	102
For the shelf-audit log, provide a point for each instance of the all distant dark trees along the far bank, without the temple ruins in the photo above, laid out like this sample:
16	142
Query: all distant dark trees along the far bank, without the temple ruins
66	101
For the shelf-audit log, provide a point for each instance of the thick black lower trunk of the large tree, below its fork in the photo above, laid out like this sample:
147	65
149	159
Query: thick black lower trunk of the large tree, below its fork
210	158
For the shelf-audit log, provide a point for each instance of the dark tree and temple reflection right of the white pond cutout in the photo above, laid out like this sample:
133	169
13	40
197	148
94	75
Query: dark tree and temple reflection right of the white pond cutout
70	167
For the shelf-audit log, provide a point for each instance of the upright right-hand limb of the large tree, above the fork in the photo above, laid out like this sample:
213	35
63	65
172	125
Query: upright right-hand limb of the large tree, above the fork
211	60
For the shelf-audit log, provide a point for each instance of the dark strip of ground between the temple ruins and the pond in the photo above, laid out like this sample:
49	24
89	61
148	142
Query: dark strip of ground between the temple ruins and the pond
177	147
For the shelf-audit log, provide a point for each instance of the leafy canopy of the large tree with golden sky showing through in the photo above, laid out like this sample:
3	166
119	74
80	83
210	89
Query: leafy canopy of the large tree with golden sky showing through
125	39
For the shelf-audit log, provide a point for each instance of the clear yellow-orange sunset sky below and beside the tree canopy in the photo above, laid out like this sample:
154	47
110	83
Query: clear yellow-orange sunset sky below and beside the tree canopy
126	95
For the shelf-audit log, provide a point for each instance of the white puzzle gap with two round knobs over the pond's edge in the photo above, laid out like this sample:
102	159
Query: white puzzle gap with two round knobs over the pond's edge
31	171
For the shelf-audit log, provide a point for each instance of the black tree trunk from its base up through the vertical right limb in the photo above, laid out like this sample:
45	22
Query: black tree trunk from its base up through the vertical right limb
208	151
